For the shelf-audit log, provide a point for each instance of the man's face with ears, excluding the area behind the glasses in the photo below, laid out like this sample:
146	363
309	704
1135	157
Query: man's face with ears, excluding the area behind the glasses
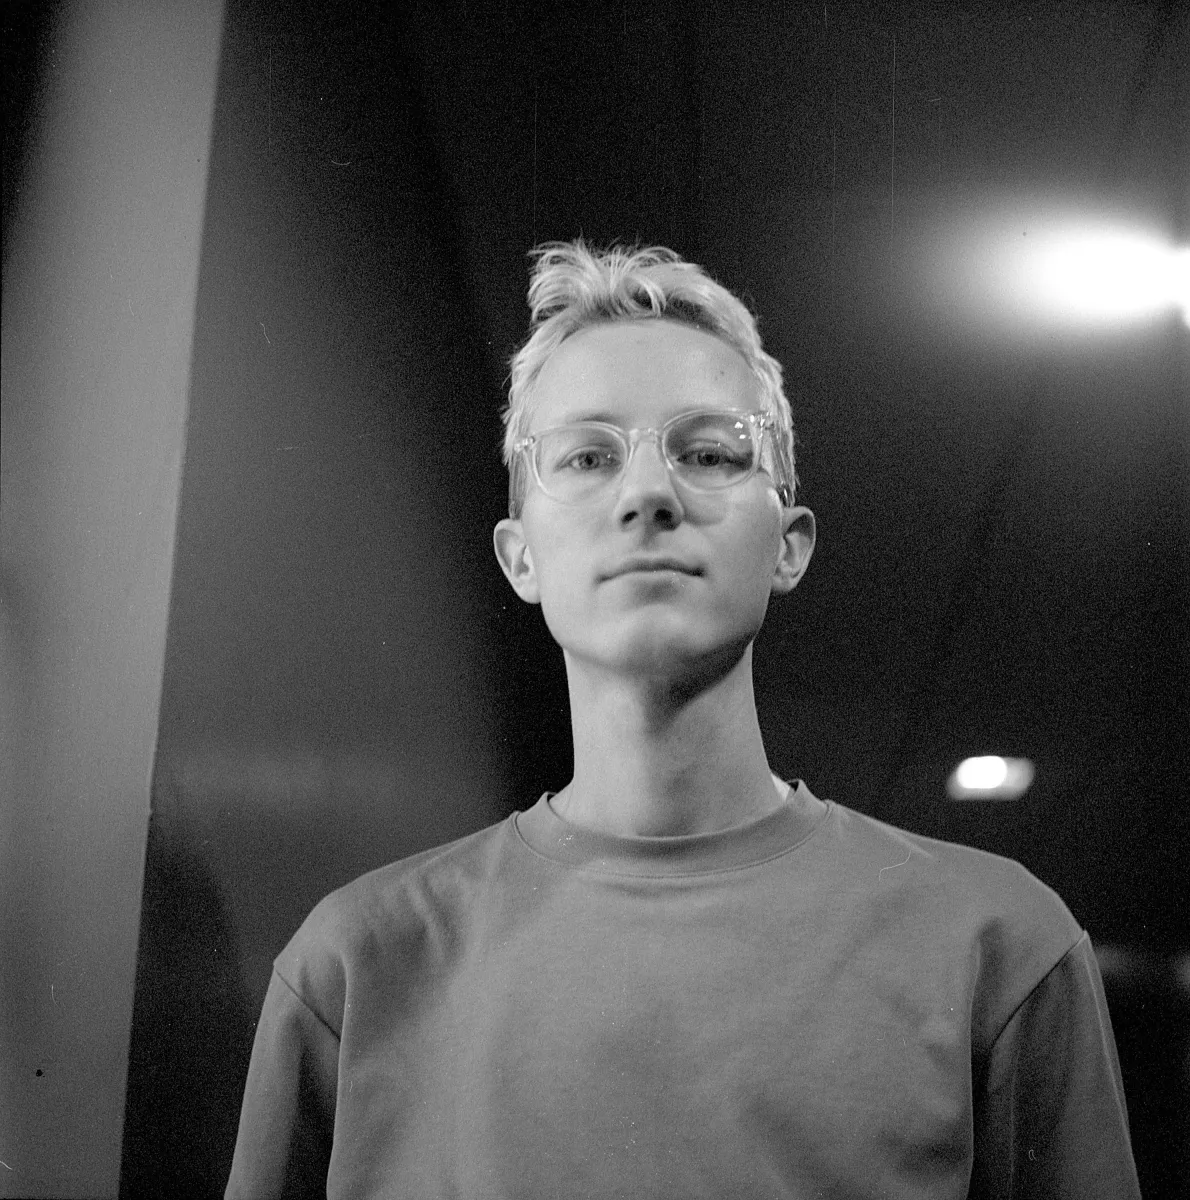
652	578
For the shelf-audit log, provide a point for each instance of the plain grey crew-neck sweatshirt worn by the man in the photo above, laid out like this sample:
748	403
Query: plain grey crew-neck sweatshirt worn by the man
814	1005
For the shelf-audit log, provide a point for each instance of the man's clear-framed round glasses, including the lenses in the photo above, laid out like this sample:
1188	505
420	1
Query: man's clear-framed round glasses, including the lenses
706	451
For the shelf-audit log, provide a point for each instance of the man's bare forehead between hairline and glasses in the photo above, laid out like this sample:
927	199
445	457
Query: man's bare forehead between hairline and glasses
640	373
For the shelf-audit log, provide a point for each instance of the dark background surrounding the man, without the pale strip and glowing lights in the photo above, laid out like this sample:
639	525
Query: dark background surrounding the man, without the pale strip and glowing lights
1002	562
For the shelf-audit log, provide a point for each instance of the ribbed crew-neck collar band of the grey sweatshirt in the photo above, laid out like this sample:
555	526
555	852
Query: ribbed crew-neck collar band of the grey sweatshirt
550	836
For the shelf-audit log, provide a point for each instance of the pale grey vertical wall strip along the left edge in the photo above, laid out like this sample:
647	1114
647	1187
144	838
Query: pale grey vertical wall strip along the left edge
101	269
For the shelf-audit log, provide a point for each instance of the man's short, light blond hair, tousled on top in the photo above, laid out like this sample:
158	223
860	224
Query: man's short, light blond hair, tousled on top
573	287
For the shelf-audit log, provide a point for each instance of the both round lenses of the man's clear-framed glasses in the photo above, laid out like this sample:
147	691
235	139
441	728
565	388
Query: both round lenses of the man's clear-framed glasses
707	452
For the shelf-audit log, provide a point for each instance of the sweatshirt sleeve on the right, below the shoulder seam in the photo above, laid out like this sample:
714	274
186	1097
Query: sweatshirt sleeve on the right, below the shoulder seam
1050	1115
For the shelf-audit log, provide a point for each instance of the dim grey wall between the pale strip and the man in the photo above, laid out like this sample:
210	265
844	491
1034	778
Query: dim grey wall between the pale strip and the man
327	704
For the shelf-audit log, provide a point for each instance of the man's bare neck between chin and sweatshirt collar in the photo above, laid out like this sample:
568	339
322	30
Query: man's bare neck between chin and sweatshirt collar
653	759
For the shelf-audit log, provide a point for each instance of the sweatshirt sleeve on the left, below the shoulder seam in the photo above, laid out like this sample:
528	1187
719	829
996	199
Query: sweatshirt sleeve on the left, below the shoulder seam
287	1120
